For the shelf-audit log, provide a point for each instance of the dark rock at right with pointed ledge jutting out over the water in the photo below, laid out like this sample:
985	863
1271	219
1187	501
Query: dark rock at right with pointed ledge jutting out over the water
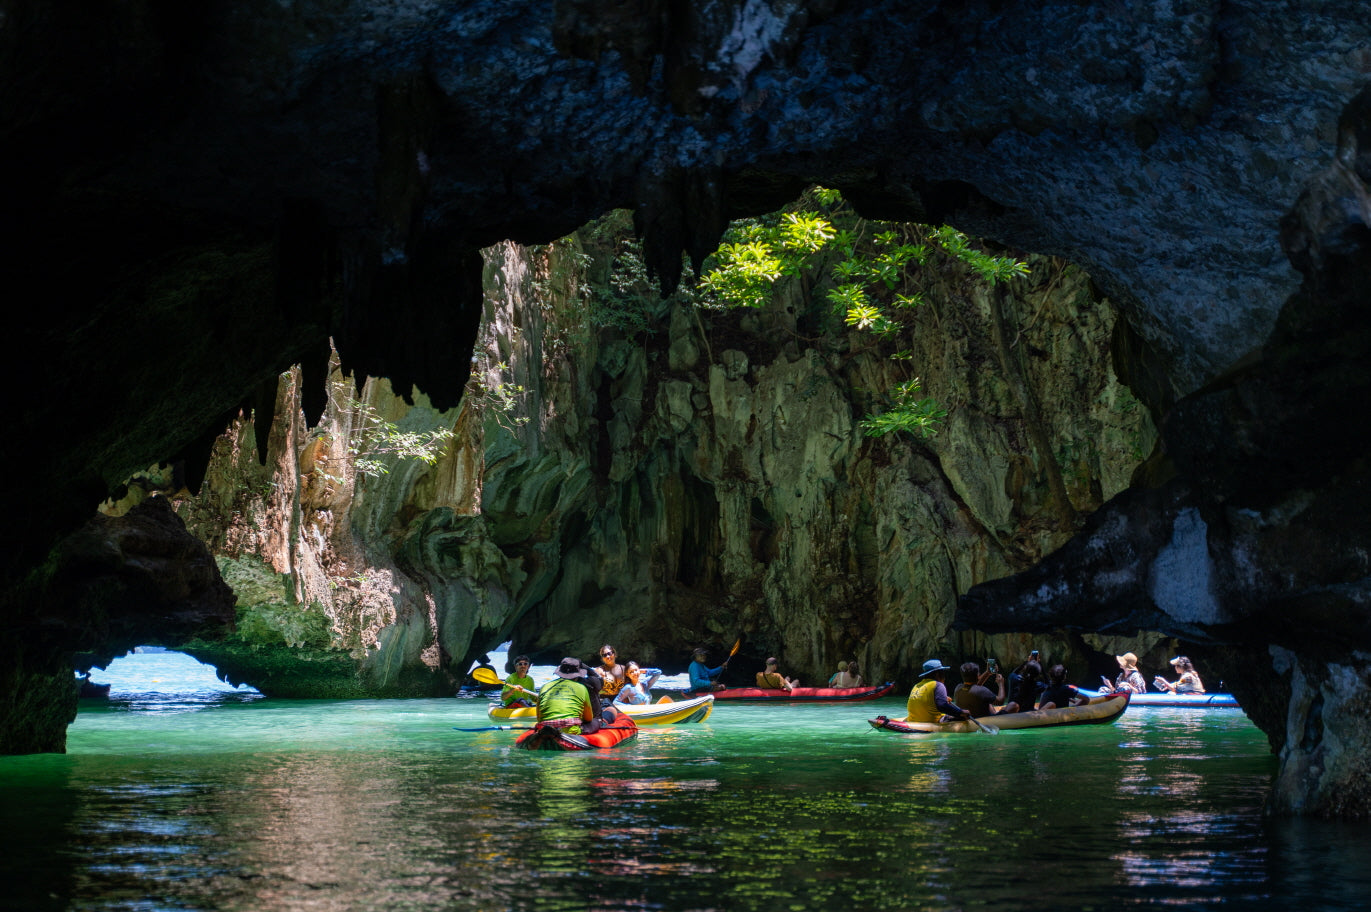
1266	527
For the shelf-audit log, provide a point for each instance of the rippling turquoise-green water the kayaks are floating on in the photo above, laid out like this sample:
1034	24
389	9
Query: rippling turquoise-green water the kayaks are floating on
220	800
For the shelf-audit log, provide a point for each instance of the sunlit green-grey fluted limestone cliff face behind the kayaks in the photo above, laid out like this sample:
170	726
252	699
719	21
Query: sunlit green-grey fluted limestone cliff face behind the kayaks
664	489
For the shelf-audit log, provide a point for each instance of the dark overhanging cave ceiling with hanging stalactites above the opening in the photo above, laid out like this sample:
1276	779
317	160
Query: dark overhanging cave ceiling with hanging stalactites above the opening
201	197
